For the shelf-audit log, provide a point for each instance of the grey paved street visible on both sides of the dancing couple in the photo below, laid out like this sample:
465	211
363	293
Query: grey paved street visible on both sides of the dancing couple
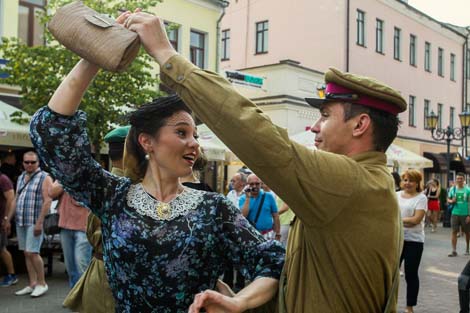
438	273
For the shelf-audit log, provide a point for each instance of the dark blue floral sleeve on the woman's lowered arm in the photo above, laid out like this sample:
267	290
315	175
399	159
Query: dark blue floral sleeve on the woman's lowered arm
244	246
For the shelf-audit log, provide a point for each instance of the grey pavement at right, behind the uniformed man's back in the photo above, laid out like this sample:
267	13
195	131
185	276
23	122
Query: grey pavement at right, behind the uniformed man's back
438	275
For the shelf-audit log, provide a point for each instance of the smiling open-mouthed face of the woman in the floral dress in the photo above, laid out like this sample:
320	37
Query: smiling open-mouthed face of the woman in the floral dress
175	147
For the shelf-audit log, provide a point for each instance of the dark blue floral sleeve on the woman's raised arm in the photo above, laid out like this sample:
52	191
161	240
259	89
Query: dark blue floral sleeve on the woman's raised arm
63	146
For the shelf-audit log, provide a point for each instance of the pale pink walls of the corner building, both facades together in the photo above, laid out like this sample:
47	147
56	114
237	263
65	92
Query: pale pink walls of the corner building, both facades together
313	32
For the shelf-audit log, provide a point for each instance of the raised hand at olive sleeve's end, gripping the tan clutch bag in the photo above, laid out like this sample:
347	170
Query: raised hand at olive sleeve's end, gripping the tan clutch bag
152	34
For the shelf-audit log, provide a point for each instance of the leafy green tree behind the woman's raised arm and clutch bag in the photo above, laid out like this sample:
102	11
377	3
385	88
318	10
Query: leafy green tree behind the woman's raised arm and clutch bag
38	71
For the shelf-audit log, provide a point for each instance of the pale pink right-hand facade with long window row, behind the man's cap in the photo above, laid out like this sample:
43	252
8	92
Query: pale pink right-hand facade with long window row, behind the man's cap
408	79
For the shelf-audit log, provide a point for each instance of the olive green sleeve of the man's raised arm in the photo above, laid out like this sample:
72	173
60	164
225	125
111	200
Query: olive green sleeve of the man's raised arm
316	185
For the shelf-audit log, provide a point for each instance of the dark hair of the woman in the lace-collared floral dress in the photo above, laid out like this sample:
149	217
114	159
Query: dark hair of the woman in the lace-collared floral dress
148	119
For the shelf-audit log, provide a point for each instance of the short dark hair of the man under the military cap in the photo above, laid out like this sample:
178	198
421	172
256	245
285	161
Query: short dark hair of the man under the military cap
385	125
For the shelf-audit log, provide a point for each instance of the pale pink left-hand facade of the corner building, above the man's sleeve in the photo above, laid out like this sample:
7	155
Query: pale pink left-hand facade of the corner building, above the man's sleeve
296	32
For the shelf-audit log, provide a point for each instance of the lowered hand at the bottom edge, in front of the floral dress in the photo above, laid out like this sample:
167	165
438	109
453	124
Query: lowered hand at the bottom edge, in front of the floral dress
214	302
